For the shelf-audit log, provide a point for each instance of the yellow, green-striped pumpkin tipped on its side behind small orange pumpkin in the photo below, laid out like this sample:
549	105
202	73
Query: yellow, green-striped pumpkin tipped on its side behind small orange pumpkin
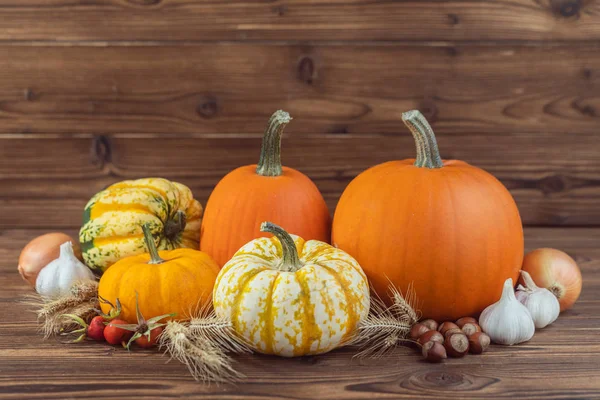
113	219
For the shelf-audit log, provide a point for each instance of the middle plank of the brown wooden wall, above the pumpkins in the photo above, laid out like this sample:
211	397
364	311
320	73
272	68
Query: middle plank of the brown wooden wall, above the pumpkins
232	88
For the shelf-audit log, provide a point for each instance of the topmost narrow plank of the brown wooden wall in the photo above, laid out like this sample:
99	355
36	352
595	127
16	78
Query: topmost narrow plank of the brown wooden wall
166	20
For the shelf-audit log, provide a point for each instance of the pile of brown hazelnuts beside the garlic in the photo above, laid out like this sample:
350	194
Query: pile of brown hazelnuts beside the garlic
454	339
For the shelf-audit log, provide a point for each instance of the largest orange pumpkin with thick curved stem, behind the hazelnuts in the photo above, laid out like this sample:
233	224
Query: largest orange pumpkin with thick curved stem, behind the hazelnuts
450	229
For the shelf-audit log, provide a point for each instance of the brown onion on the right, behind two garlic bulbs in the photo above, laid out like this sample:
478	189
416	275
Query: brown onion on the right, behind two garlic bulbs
556	271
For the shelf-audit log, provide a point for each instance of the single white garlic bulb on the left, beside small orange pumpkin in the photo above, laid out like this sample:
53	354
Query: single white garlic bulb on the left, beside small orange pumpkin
56	278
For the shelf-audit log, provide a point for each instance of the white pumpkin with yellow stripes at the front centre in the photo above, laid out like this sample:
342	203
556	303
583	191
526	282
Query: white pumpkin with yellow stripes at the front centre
289	297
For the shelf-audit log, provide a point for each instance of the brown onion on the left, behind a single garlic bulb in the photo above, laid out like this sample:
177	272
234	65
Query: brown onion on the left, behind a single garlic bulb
40	251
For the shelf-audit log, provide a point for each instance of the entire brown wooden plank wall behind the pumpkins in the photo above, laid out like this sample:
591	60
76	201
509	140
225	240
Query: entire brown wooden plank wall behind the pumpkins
95	92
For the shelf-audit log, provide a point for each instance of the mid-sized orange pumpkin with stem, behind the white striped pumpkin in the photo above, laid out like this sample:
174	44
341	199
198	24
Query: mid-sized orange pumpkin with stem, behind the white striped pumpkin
249	195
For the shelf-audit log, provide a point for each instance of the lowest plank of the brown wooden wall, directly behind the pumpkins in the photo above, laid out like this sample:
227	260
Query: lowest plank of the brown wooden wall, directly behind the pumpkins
46	180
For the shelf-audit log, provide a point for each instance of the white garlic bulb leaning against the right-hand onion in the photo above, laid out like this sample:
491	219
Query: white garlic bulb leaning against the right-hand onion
541	303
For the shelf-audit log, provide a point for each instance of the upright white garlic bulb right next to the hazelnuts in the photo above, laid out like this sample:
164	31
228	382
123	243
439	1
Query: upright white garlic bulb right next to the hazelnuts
507	321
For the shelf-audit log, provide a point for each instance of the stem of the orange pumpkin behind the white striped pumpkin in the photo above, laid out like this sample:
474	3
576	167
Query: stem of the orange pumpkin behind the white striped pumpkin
269	163
